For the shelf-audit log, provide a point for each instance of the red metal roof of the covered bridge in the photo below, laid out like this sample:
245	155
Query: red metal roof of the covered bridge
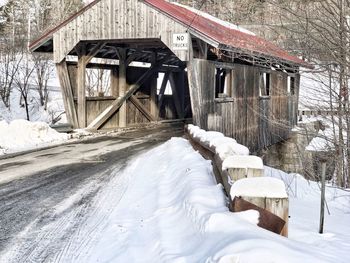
207	27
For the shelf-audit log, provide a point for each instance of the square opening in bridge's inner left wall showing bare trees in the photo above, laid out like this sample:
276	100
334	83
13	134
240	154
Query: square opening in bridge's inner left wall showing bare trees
98	82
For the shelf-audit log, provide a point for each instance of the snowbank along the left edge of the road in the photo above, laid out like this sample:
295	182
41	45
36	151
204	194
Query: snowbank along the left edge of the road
22	135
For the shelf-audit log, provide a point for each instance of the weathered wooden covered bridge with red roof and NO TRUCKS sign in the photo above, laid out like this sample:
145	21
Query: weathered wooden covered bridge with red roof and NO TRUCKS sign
222	77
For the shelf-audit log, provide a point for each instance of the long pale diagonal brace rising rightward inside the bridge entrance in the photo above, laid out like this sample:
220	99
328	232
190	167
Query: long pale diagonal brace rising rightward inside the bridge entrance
116	105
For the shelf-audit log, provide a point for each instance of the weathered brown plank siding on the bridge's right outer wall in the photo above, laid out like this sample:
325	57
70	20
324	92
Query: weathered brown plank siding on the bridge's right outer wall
252	120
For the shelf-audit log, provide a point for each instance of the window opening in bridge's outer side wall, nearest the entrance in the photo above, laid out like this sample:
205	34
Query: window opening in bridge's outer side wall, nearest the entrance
224	83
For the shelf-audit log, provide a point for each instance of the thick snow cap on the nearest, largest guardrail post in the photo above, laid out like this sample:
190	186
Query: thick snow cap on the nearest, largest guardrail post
259	187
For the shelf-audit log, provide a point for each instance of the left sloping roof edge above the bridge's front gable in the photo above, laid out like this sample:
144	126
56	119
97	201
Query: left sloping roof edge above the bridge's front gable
49	33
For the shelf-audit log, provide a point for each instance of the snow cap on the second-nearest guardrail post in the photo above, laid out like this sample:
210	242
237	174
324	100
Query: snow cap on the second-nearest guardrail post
243	161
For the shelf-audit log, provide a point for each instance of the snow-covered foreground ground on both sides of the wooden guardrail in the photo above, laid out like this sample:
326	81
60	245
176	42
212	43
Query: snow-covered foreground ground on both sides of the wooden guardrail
173	211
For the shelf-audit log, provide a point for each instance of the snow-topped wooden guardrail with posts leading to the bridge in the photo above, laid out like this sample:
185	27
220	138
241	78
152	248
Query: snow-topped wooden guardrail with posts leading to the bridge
231	164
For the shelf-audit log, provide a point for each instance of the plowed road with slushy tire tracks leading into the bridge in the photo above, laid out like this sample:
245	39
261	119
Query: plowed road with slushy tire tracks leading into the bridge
49	200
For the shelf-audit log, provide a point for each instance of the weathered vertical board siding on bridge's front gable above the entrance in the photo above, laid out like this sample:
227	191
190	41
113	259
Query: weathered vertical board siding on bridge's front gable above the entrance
117	20
